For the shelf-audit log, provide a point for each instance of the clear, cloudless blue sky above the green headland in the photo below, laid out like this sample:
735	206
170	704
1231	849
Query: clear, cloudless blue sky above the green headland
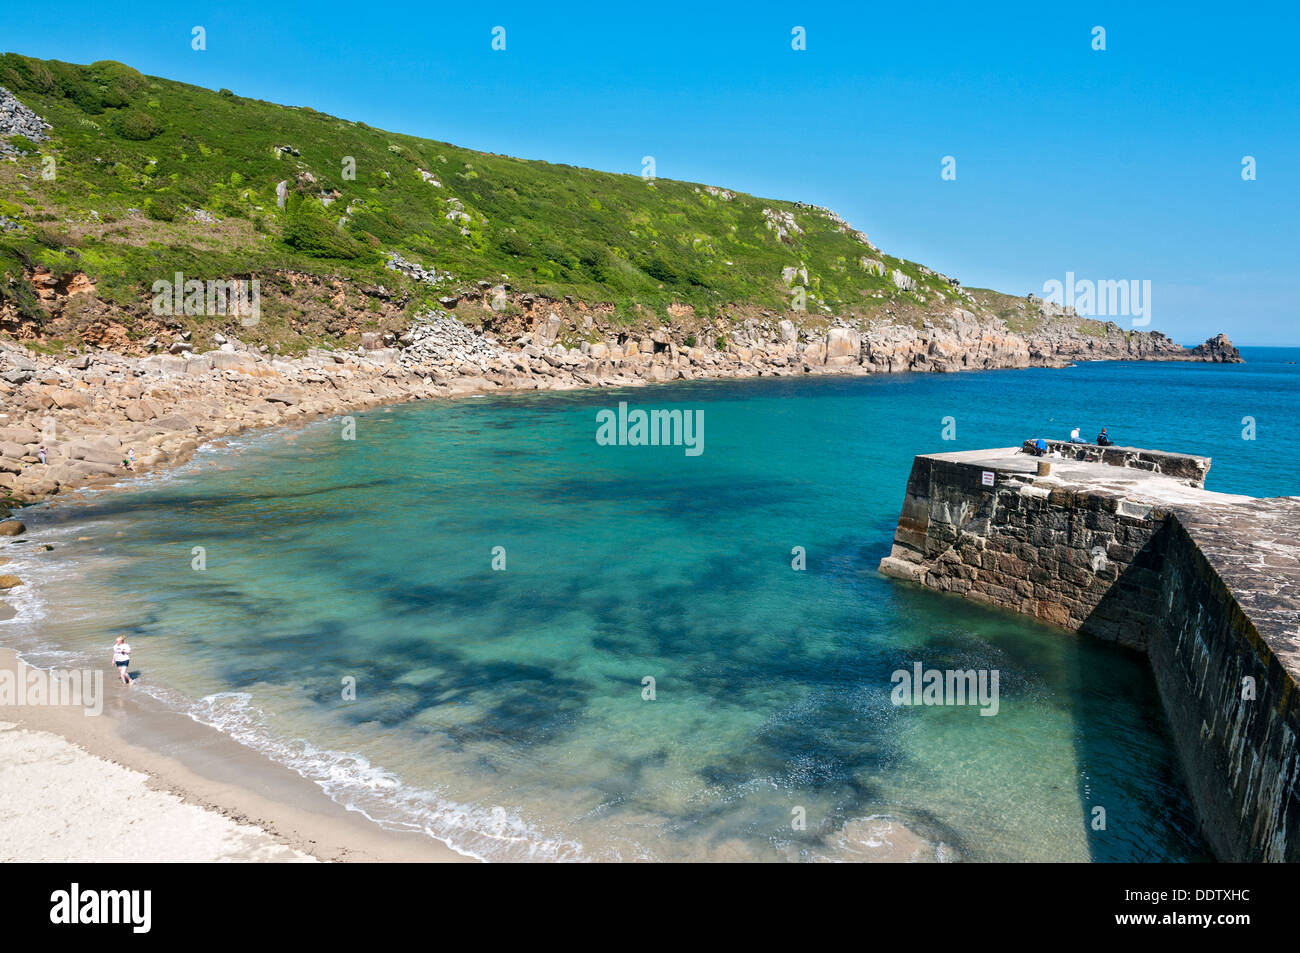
1120	164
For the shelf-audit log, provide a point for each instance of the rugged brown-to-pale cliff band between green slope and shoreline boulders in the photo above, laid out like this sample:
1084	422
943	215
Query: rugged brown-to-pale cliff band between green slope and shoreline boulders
339	313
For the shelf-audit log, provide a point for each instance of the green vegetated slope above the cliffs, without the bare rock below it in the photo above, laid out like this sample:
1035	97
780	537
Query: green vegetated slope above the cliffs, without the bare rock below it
123	141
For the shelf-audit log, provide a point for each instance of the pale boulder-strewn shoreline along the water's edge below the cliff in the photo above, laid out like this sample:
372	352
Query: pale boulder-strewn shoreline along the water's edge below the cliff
72	423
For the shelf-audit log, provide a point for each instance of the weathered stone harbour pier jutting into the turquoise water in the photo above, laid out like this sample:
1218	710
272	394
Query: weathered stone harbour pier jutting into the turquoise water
1126	545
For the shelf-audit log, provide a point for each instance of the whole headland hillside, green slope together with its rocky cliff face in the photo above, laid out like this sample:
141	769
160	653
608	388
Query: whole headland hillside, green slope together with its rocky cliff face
158	179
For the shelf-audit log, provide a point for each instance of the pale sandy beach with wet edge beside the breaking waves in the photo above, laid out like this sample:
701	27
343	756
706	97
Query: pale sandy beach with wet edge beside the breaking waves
141	785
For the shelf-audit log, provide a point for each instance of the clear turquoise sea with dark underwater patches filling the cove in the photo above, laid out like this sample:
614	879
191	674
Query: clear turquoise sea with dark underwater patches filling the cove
506	711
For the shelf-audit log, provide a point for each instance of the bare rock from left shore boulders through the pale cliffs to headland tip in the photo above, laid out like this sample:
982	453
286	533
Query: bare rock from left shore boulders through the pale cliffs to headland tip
90	411
